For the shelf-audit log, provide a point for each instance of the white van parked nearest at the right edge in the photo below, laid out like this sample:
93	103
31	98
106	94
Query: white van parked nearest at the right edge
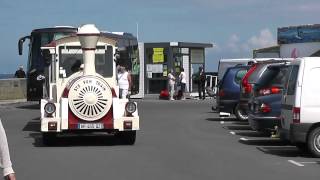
300	105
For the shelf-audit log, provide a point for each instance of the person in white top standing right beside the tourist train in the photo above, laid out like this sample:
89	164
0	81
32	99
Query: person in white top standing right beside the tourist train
124	81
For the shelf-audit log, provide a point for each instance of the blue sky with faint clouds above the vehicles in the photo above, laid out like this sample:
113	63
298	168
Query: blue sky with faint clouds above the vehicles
235	27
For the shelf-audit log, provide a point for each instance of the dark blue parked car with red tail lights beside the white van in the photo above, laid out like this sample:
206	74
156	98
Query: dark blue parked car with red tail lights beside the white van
265	103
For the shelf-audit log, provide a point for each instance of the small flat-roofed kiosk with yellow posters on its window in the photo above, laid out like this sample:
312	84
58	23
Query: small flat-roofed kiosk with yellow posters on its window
159	57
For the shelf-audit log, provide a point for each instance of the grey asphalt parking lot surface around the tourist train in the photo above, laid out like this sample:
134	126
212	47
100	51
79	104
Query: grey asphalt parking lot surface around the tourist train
177	140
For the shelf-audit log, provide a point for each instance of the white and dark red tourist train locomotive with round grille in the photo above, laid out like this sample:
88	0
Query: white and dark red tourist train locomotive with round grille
82	92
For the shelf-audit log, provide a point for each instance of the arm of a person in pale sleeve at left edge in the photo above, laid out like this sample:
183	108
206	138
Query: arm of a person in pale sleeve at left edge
5	161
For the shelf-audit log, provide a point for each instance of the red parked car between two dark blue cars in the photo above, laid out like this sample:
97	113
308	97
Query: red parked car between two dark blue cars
248	82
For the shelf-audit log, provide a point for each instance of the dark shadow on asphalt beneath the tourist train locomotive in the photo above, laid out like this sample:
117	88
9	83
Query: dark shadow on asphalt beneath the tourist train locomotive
78	141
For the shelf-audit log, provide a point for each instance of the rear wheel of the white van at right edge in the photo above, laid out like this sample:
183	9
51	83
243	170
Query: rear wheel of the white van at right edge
314	142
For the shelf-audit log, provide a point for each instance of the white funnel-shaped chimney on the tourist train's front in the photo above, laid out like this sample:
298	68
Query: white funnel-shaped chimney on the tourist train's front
88	35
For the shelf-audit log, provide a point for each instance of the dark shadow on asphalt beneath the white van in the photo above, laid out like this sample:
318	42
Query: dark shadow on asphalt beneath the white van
284	151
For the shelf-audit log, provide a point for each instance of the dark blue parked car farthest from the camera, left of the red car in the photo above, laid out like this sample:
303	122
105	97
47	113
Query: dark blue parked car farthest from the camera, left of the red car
229	89
